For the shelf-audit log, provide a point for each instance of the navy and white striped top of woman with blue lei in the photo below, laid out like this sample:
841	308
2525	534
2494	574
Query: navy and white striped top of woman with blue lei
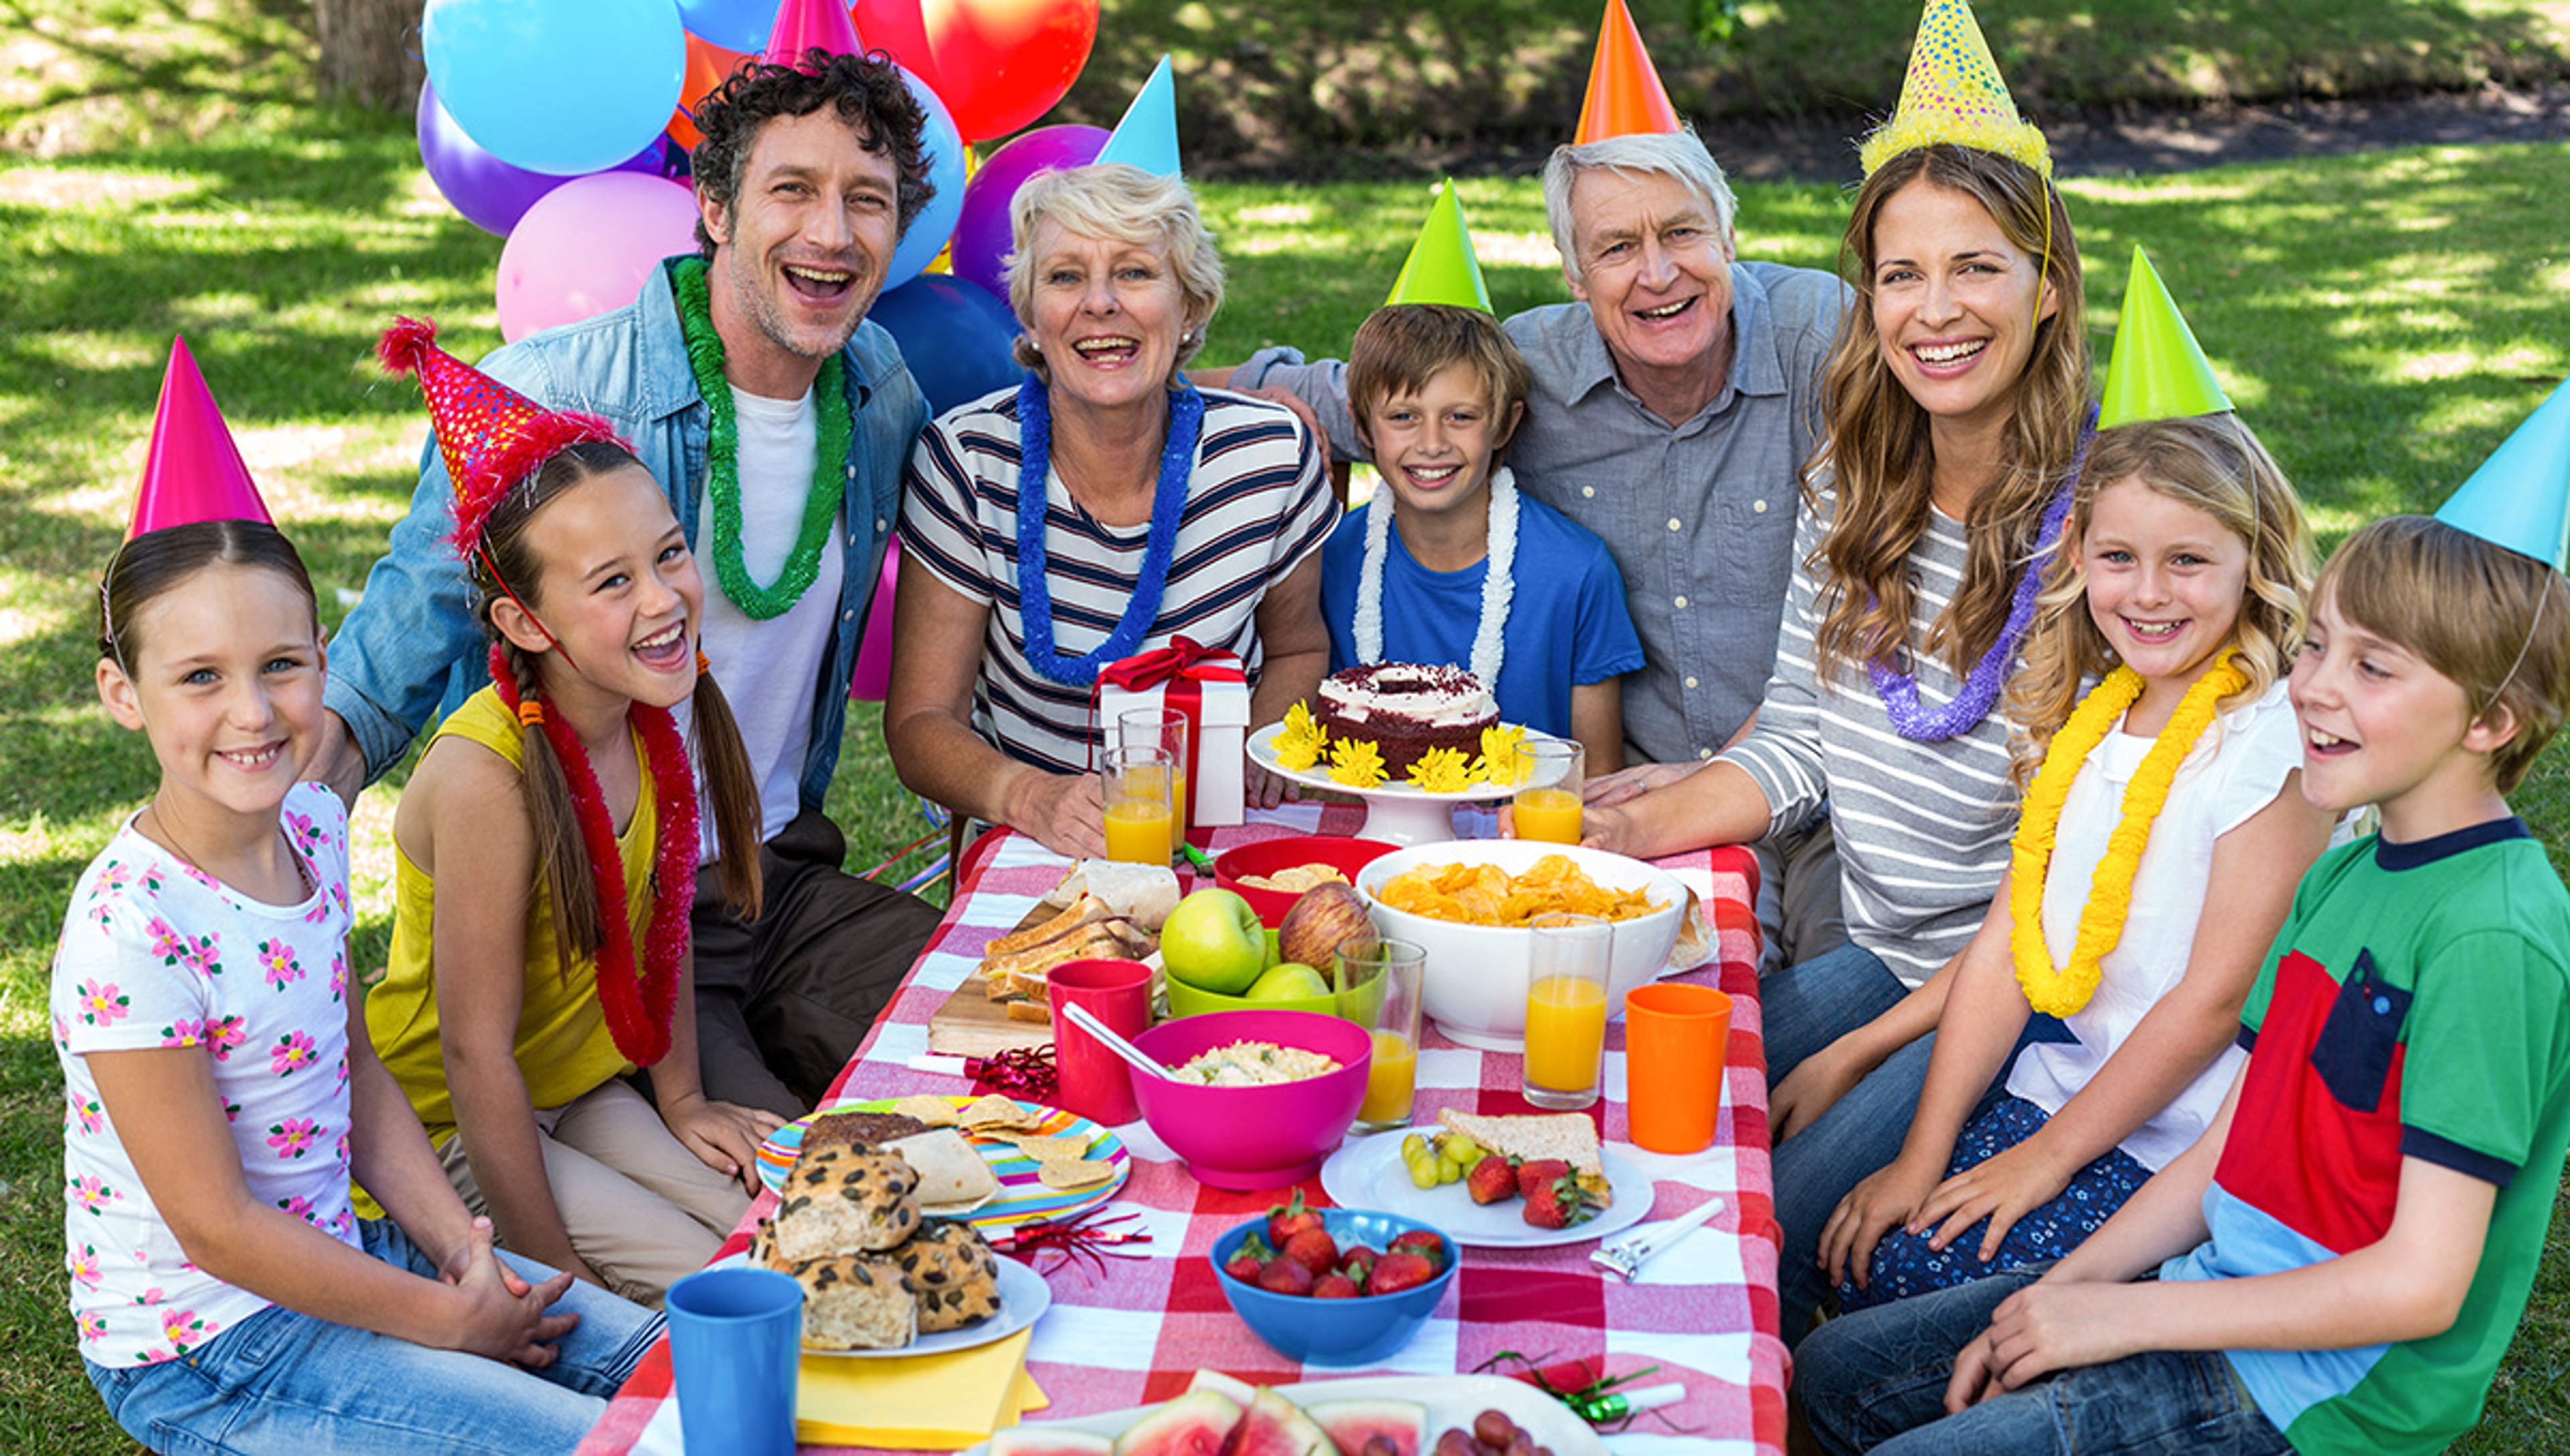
1258	507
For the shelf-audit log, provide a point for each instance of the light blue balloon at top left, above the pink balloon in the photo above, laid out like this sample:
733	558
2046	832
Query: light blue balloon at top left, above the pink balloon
556	86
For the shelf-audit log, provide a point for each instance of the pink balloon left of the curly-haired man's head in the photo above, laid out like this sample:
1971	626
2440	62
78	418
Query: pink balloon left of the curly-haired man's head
587	248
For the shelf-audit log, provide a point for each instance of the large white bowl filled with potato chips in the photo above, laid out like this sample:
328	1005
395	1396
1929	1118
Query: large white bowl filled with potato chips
1469	905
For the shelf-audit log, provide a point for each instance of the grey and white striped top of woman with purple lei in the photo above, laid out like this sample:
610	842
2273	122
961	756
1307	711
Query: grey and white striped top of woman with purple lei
1921	828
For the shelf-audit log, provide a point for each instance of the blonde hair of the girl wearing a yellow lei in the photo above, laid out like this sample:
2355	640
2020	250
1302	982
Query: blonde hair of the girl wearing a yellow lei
2217	466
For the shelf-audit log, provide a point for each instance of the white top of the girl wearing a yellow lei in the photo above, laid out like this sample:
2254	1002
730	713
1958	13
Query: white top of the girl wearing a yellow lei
2237	769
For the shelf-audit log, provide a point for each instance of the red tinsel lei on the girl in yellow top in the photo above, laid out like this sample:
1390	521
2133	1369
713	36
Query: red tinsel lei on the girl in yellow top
639	1003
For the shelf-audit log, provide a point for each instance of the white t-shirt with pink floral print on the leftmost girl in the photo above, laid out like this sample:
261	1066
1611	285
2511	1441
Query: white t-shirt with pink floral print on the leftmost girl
163	957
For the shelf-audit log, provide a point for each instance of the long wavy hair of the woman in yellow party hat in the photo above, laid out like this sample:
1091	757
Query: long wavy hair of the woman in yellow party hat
1883	456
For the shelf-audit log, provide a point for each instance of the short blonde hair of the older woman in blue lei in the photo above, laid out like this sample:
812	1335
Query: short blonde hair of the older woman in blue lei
1119	204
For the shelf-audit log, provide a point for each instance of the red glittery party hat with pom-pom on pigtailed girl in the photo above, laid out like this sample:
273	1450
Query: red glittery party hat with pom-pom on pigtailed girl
490	435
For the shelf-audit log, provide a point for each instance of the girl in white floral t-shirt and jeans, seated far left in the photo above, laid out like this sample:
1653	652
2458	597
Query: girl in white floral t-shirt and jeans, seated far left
220	1103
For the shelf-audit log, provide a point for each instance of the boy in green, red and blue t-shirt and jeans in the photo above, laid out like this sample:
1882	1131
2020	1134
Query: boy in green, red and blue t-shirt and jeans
2350	1247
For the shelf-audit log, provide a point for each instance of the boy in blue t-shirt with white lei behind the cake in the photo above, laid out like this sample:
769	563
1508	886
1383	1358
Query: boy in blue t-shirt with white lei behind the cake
1451	564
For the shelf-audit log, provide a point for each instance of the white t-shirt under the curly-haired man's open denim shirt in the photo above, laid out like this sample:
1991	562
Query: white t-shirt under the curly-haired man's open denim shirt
770	669
